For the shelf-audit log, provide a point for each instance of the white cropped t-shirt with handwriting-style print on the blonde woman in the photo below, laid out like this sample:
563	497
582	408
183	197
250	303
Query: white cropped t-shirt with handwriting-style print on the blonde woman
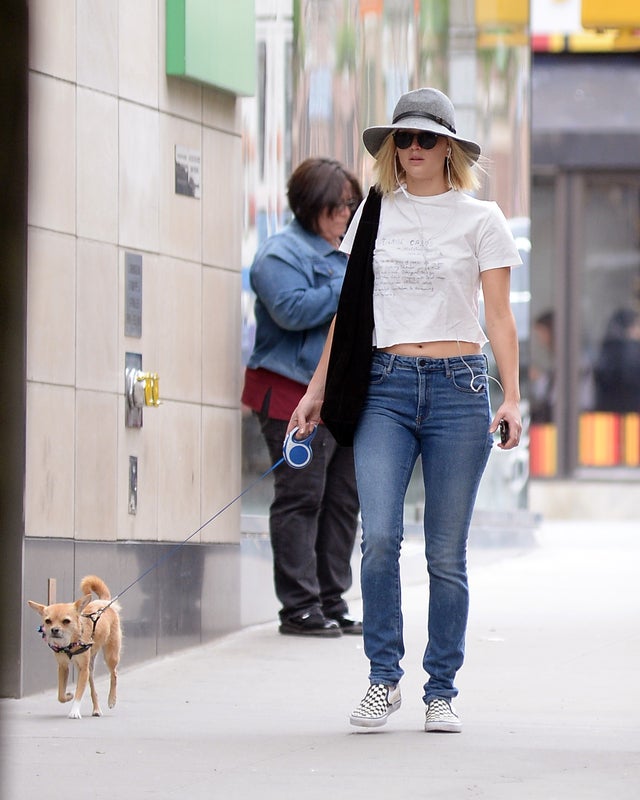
427	261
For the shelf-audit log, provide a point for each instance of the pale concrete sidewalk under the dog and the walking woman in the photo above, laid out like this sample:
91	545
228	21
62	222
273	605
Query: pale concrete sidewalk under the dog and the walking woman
549	698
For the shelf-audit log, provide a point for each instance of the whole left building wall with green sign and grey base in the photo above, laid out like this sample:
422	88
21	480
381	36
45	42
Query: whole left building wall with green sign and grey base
132	230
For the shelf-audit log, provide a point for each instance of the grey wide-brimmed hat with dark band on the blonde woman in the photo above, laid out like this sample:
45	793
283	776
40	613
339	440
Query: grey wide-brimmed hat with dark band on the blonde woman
421	110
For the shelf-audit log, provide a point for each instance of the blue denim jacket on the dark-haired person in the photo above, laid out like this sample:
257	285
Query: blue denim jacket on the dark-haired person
296	276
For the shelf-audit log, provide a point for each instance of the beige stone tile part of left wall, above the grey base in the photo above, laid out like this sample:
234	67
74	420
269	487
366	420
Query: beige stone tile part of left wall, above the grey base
103	123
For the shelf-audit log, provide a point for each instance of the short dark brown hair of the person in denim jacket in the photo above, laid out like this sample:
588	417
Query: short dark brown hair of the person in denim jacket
317	184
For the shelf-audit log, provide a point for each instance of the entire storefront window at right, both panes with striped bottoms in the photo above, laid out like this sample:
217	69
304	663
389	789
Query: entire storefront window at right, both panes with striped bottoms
584	375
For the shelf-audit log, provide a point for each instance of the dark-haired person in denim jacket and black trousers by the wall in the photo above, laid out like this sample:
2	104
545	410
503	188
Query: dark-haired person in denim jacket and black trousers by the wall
297	276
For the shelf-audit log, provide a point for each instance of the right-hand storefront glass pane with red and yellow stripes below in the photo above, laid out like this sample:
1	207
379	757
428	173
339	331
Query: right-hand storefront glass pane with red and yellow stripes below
609	397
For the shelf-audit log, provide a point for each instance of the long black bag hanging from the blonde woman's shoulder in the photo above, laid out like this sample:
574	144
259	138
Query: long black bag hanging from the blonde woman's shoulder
350	359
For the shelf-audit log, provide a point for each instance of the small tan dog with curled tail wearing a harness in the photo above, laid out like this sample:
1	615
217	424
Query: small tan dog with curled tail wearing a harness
76	632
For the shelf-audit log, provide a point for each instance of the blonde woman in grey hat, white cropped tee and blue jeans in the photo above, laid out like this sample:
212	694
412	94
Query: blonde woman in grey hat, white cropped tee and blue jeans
403	376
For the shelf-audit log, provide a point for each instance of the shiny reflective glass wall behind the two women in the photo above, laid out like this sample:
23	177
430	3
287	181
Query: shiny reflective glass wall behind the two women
330	68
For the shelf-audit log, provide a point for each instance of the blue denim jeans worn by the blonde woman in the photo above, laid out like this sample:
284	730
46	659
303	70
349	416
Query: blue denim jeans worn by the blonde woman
437	409
